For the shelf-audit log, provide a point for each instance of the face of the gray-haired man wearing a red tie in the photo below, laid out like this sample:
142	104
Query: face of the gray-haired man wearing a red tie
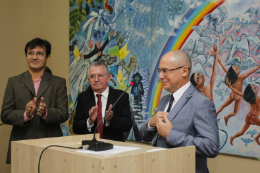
98	78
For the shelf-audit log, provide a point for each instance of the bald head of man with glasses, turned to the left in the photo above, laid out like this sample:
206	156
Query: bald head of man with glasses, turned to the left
175	67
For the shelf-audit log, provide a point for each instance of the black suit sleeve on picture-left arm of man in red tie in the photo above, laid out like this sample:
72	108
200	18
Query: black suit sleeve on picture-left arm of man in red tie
80	121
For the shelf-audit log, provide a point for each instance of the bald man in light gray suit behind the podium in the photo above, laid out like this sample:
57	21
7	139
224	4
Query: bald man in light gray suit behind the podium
185	117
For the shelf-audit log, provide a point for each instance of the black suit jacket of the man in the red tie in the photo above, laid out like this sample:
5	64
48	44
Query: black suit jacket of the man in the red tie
120	123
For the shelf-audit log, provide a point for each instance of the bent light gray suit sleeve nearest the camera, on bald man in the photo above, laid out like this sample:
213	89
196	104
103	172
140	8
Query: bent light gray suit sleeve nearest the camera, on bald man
206	129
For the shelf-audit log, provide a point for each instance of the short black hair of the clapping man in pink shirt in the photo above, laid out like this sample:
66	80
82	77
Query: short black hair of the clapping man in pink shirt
38	42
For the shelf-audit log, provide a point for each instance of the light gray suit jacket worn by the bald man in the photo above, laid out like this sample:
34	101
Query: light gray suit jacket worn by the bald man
194	123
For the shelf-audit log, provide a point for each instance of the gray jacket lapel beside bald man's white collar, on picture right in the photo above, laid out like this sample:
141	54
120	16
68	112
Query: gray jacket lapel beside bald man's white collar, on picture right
181	102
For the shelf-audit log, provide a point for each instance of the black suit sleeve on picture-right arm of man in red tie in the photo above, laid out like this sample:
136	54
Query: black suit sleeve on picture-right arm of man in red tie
122	122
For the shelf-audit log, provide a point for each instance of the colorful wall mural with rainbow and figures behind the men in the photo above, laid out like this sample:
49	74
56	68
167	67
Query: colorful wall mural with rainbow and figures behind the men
130	36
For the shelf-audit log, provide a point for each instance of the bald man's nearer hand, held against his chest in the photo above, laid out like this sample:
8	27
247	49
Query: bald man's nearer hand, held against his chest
164	128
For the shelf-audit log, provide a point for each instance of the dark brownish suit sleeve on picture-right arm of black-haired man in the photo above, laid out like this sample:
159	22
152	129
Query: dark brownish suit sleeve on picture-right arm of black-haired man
59	113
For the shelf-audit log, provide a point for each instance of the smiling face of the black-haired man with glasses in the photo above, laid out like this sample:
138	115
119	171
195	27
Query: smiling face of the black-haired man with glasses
36	58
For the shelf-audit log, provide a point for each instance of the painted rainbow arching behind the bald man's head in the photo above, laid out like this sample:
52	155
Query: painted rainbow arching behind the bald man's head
193	17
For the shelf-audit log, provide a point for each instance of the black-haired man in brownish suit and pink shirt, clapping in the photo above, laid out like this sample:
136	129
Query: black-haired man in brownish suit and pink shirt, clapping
35	102
